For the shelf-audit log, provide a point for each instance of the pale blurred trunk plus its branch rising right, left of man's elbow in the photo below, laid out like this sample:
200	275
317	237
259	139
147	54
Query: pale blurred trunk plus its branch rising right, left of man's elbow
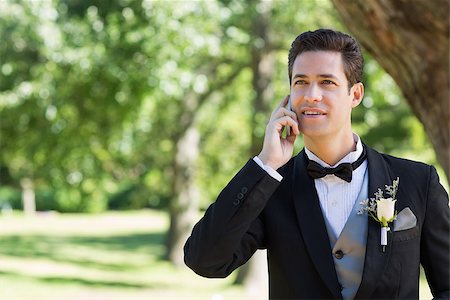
184	206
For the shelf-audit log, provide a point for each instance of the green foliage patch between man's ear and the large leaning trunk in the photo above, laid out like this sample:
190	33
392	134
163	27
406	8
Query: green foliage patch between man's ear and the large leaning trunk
384	119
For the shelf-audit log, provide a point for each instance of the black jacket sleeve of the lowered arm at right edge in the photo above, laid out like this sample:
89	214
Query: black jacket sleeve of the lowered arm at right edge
435	245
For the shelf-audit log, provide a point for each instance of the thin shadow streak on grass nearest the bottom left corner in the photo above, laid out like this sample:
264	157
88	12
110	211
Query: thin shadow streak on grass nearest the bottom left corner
76	280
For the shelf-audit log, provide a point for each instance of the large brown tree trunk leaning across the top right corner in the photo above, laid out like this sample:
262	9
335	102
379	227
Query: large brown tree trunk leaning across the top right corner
410	40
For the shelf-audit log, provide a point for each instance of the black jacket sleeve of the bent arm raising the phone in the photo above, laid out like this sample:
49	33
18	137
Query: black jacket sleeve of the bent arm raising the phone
231	229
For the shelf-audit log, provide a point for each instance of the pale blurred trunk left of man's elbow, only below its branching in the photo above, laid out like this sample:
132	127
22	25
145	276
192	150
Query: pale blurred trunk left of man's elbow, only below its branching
183	210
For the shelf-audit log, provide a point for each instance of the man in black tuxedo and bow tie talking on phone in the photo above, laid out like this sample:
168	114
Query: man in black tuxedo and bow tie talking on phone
306	214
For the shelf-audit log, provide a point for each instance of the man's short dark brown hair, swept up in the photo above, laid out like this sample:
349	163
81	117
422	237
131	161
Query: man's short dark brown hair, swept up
330	40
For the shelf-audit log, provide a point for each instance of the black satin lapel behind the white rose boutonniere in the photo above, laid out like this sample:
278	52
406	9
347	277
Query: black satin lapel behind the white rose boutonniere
375	260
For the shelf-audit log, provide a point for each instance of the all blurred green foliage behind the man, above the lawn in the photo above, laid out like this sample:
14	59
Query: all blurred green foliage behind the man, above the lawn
94	96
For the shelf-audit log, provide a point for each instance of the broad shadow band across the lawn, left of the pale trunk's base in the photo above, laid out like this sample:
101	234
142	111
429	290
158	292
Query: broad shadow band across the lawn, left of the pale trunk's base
55	248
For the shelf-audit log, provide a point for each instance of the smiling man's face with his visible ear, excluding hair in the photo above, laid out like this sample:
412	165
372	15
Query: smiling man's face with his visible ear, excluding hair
320	95
